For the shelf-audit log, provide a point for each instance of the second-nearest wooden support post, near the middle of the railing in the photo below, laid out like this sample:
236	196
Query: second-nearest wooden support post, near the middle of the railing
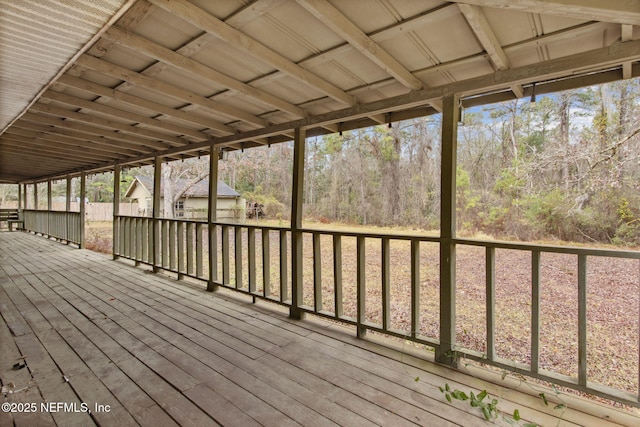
296	224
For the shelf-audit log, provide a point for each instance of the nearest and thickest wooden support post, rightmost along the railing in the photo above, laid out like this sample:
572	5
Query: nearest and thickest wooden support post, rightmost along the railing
450	113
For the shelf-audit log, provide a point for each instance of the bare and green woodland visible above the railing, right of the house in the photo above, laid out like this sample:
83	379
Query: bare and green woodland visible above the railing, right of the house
565	167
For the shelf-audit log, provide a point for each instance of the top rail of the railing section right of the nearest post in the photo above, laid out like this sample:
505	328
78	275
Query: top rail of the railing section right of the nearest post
605	252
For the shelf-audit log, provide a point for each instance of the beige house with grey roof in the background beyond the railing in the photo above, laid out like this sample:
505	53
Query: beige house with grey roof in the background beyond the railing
193	204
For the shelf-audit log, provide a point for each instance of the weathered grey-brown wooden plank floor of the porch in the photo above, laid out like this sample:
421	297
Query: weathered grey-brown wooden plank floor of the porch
155	351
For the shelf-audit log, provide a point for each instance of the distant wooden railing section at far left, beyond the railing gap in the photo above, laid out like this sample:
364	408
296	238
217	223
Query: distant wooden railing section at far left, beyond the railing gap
65	226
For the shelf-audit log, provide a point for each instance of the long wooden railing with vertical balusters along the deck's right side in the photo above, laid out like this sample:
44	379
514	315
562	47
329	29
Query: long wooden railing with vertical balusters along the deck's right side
389	283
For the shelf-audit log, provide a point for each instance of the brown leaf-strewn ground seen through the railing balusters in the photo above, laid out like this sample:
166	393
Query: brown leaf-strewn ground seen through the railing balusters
613	299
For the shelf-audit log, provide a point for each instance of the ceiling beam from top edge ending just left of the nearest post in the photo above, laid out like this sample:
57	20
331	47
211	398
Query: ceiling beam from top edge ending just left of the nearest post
345	28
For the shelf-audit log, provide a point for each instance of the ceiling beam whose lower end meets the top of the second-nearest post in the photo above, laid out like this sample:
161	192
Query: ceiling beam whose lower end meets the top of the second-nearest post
167	56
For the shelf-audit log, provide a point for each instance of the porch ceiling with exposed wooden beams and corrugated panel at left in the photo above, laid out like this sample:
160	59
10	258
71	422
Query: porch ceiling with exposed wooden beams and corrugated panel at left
171	77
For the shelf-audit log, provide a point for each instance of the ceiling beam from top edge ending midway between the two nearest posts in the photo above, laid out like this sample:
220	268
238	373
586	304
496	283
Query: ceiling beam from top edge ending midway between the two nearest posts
209	23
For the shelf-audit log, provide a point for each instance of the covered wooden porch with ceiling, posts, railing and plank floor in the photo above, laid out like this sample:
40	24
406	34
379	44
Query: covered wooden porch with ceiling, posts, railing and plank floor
157	82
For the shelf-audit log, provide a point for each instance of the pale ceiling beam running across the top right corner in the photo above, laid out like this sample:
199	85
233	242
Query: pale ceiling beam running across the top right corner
617	11
